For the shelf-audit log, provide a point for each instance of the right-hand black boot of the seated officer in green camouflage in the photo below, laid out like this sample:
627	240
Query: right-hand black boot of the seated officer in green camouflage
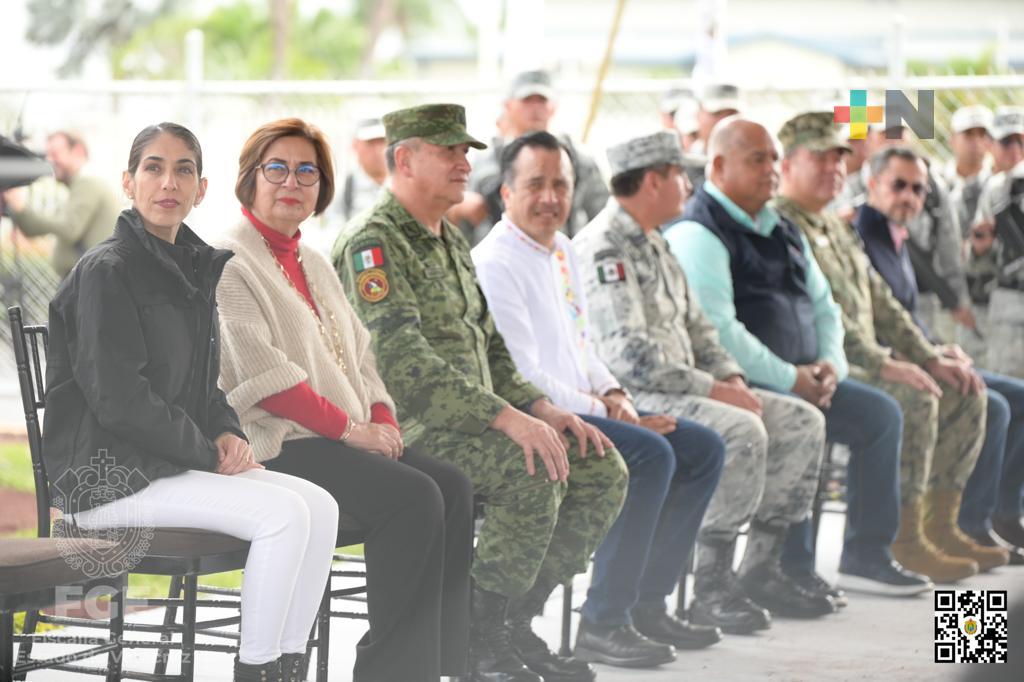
532	650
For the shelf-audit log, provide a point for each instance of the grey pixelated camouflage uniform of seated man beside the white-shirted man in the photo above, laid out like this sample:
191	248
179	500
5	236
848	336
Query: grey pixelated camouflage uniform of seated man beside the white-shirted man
653	335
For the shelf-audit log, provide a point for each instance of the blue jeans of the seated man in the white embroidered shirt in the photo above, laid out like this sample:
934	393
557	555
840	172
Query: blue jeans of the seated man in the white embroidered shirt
672	479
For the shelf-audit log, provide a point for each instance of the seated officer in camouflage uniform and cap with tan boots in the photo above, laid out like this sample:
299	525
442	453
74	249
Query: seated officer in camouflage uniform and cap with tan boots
886	350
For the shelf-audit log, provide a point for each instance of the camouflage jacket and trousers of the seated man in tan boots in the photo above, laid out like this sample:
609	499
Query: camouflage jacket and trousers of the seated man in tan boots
942	439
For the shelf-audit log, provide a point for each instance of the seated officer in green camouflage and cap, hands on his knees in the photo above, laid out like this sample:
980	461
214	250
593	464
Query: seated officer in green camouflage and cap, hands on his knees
410	277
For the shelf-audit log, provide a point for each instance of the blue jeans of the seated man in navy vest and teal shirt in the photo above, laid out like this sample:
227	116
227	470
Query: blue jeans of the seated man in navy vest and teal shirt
870	422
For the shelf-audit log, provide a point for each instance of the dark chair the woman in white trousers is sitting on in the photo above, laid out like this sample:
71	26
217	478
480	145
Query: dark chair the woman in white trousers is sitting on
183	555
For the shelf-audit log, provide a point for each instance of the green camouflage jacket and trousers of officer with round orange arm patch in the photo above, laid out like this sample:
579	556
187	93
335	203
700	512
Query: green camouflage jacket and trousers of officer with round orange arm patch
451	373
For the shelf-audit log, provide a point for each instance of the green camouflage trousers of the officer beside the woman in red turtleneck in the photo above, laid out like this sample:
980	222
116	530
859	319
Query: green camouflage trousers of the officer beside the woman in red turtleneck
535	531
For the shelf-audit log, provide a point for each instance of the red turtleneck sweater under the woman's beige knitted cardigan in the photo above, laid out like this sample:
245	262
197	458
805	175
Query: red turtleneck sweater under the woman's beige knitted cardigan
301	403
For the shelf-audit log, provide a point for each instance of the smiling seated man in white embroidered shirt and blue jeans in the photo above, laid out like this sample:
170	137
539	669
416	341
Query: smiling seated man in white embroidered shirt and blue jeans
529	275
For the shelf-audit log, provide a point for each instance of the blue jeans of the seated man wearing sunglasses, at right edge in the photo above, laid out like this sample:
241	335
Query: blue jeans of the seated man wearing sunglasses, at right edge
996	485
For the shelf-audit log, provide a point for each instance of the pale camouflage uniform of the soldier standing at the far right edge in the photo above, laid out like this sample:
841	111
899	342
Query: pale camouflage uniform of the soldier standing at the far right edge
1006	317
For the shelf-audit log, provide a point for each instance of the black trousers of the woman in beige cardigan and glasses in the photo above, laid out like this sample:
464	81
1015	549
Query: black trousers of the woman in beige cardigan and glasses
418	516
